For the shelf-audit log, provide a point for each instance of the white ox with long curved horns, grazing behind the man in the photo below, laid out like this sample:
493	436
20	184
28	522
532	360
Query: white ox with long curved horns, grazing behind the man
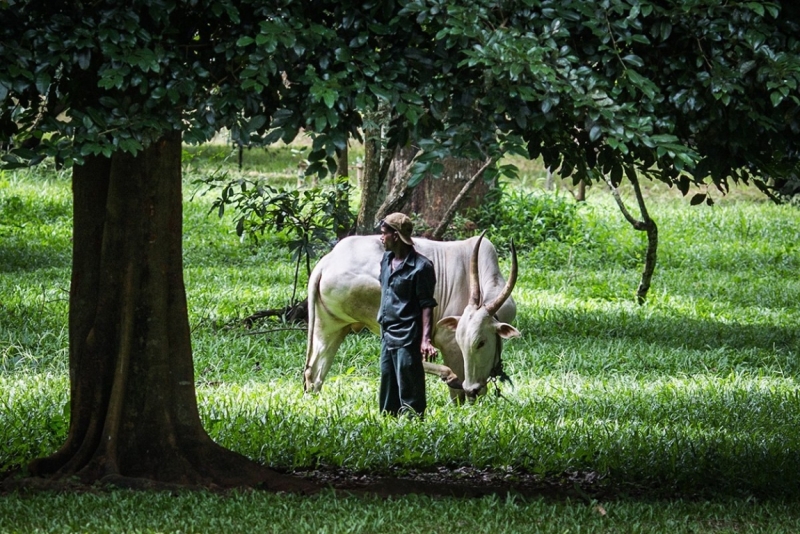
474	307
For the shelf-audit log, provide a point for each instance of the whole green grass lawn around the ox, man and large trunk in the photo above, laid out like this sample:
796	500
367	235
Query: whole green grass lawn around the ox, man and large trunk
693	395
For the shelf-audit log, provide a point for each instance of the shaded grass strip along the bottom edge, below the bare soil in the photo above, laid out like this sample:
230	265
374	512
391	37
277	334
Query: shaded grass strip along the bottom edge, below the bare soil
123	511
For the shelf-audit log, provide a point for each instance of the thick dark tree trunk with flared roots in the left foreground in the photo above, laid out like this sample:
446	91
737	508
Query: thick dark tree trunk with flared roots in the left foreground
134	418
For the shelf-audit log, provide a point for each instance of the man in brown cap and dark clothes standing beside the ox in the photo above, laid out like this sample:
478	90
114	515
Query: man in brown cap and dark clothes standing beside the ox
406	319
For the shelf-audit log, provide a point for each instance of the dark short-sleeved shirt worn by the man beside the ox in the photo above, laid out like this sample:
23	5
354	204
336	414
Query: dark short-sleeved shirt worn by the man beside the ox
404	293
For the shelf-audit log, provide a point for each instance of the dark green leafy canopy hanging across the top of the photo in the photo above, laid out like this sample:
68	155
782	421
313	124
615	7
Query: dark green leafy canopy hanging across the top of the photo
679	89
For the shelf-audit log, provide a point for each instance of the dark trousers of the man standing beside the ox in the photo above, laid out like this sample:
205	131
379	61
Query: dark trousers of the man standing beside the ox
402	381
